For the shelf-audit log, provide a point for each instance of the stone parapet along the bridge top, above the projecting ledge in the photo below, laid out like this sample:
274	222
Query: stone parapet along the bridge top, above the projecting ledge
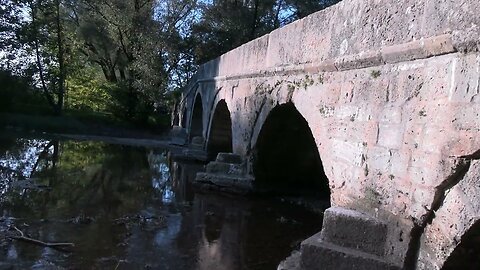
355	34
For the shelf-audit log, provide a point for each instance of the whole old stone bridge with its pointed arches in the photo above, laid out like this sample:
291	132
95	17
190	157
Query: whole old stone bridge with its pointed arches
387	94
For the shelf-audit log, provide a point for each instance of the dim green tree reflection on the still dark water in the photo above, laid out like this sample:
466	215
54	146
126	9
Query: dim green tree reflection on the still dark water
94	176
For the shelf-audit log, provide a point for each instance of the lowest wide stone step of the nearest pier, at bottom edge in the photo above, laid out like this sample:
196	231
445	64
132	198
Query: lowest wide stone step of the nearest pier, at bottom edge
319	255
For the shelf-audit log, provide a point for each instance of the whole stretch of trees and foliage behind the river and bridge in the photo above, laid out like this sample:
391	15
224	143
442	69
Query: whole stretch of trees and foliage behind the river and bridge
124	58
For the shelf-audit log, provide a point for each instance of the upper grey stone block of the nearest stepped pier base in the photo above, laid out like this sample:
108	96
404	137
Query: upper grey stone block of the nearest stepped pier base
352	229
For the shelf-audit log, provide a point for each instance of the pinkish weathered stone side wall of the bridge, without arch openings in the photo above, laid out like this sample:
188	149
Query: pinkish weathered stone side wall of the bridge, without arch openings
391	92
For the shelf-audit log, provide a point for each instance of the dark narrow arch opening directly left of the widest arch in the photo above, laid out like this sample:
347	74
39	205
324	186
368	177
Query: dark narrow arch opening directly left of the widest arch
220	138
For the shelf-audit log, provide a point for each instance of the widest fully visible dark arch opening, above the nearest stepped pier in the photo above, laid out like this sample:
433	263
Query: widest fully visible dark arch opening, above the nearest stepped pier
287	159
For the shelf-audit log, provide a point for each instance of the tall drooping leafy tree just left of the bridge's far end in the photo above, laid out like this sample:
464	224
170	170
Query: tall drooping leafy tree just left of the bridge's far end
138	45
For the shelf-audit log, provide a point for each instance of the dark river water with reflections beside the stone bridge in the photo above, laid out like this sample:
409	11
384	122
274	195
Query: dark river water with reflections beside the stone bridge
132	208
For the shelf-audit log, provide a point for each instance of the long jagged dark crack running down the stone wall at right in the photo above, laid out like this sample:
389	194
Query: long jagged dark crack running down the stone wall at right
441	191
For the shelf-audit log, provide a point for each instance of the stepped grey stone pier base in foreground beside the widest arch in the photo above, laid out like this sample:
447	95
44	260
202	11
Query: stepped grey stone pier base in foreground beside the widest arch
348	240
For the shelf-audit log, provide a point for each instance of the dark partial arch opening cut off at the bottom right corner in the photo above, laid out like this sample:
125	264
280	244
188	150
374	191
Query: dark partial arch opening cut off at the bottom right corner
466	255
